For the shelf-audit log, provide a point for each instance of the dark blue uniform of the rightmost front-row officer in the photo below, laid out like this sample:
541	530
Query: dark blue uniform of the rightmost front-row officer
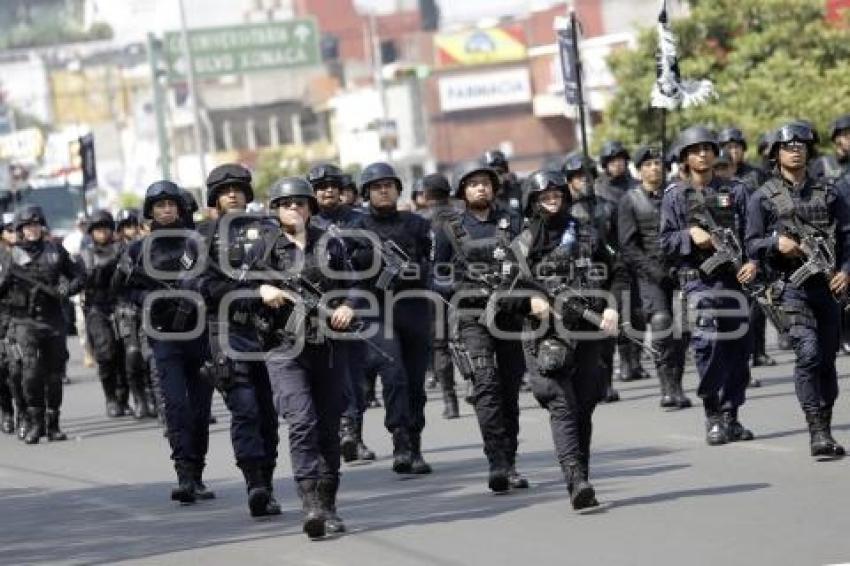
810	312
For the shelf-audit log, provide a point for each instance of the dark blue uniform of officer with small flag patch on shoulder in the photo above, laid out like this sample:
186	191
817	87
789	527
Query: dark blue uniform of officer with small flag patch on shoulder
721	363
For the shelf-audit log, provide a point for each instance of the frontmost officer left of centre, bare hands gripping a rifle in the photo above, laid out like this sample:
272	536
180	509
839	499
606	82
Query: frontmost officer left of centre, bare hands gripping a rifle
303	364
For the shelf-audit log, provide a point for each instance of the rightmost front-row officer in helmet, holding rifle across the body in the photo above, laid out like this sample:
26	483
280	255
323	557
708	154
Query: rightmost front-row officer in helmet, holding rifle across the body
788	215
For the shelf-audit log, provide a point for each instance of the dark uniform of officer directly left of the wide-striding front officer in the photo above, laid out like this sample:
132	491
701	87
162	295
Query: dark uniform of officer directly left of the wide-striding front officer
498	363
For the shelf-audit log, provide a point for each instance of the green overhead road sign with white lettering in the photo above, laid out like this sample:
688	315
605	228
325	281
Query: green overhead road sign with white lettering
244	49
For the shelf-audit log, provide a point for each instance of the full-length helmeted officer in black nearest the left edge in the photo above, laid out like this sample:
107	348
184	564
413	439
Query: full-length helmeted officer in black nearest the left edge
38	275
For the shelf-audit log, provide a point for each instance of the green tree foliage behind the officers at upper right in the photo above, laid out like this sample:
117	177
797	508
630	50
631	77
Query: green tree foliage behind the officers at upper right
771	61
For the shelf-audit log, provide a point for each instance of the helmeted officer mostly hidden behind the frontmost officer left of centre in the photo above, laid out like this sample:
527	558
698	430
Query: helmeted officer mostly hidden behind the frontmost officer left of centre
327	181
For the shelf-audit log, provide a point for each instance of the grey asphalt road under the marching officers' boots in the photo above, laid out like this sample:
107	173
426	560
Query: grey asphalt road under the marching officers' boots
667	498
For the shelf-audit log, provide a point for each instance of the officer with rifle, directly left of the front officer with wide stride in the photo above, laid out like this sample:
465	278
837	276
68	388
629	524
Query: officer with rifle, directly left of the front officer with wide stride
482	235
